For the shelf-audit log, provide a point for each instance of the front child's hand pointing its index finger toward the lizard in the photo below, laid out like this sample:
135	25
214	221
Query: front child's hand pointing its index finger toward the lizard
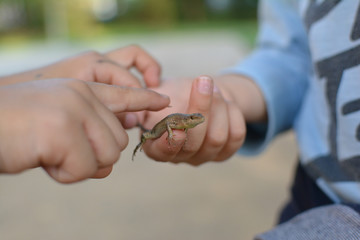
66	126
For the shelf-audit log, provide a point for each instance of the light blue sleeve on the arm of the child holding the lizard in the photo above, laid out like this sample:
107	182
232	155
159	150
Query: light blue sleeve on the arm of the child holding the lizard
281	66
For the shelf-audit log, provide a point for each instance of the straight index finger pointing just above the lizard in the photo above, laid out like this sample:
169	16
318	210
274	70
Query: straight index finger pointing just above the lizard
126	99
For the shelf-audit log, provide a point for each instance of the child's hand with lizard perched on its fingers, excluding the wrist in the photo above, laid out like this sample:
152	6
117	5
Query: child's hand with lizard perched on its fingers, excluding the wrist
218	138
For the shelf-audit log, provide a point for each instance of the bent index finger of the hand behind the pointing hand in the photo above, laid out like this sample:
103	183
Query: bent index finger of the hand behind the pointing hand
135	56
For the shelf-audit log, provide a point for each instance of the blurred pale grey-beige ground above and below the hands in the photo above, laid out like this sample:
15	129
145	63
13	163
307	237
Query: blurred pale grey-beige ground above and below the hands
144	199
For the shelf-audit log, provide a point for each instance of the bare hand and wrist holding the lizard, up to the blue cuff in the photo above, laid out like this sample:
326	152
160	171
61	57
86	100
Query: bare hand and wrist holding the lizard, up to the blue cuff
228	102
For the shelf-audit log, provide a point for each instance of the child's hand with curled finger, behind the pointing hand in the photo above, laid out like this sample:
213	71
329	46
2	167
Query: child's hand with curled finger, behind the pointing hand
111	68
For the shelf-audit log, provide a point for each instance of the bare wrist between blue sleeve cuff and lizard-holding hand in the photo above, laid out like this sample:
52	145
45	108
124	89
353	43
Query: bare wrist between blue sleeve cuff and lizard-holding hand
245	94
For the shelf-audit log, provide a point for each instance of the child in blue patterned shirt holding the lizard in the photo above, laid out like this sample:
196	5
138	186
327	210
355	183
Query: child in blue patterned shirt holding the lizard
304	74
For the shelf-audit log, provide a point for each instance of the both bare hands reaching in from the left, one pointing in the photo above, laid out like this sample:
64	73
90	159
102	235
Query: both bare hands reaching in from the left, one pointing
58	118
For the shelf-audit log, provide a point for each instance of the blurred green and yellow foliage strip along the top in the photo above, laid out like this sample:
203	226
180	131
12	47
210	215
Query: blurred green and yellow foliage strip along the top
77	18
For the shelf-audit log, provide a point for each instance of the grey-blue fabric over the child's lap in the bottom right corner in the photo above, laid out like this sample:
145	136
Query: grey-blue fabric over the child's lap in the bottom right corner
335	222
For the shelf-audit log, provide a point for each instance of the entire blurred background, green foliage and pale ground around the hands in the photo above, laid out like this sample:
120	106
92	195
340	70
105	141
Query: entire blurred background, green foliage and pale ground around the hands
142	199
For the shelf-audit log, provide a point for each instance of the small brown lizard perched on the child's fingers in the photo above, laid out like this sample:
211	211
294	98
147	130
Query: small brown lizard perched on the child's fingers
172	121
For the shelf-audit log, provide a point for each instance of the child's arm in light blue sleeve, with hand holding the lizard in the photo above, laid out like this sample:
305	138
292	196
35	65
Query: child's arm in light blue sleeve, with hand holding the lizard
258	98
